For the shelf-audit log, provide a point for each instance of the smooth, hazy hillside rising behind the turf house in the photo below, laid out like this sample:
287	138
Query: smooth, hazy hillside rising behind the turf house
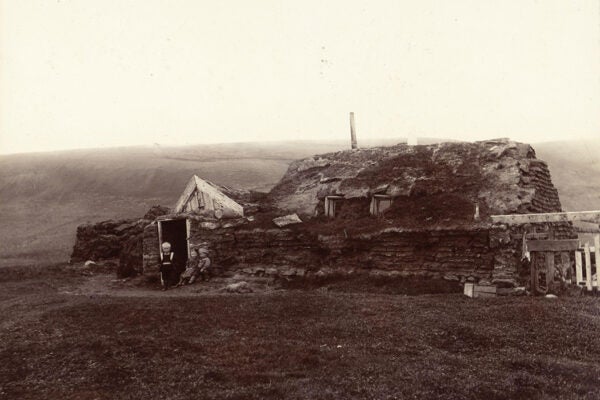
45	196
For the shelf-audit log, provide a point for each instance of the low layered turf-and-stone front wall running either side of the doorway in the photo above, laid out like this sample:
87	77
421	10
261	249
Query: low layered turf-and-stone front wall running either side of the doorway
294	251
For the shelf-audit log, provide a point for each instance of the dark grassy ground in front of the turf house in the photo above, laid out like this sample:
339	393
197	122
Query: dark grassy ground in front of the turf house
292	344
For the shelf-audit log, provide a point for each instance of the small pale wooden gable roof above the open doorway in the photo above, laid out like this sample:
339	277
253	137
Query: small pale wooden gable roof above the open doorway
201	195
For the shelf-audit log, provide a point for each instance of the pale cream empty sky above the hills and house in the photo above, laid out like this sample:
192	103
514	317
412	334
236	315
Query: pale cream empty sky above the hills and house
97	73
